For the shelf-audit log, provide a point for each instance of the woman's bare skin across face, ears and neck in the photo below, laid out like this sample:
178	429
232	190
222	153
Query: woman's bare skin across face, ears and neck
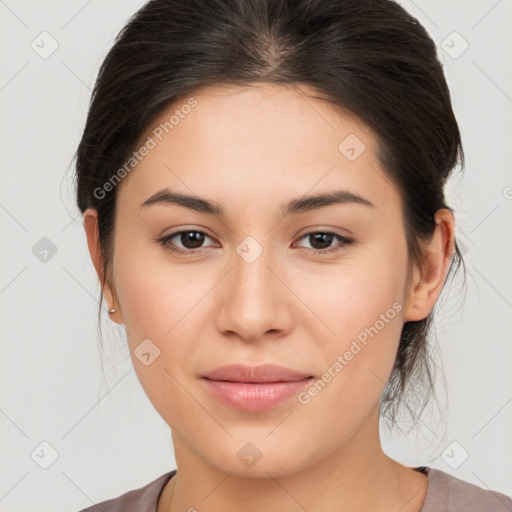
251	149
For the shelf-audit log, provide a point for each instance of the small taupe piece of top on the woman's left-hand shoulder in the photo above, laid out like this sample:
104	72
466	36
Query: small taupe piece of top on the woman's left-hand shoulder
143	499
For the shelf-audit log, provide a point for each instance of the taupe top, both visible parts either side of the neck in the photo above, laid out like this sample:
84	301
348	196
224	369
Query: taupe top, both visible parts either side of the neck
445	493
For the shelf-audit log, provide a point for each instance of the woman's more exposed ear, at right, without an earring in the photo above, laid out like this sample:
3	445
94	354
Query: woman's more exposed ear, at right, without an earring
426	285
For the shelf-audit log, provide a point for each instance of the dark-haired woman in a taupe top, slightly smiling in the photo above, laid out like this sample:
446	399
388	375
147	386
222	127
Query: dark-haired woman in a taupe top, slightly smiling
262	189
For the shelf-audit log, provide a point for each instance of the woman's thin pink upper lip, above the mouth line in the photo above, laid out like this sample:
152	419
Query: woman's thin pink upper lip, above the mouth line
262	373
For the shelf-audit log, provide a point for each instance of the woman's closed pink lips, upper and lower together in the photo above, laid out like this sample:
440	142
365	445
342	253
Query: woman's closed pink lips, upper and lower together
255	388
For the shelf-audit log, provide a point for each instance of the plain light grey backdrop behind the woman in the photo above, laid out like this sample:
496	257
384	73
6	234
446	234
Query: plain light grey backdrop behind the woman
71	437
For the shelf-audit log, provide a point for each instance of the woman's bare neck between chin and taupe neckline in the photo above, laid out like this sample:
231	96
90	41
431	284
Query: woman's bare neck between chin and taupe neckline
358	477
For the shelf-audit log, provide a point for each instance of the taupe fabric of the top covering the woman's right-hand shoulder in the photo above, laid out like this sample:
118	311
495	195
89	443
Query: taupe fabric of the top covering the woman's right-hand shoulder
448	493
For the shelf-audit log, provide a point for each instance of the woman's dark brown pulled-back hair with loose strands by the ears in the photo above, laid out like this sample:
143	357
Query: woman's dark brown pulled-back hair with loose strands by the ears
369	57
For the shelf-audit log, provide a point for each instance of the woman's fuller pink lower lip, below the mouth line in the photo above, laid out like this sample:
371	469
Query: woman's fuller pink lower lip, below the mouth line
255	396
